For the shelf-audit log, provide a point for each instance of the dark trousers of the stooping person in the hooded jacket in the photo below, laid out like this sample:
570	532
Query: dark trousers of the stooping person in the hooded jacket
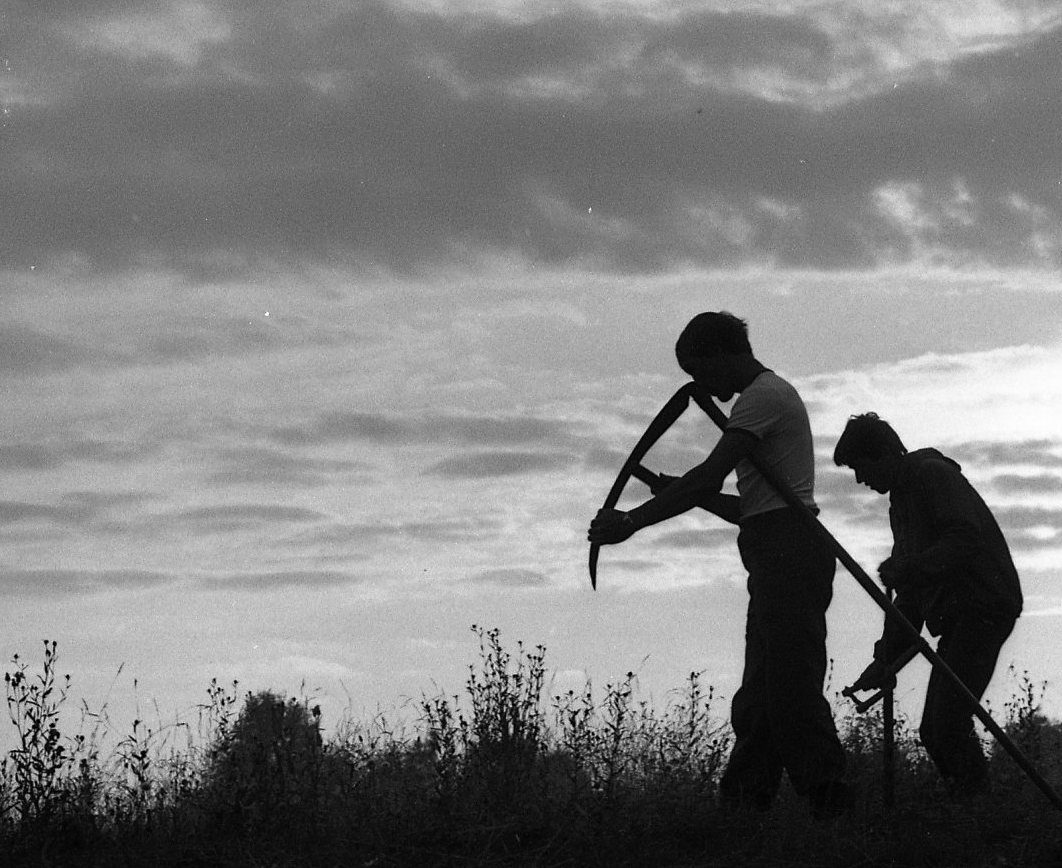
970	646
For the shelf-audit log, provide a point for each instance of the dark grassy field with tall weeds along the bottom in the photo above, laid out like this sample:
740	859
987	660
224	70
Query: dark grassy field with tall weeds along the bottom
501	775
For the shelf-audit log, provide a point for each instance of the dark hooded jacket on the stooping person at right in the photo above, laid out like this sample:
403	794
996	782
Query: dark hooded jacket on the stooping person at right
956	558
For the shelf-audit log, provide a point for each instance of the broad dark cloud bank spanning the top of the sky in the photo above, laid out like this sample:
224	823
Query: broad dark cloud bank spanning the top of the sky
402	138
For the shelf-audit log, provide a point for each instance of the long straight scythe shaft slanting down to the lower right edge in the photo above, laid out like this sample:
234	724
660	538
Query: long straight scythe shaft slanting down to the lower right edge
707	403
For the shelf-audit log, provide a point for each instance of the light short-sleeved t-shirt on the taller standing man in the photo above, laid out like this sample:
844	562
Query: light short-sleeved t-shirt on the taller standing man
772	411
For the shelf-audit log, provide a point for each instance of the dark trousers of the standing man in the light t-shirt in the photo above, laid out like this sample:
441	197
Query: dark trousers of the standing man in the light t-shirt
781	720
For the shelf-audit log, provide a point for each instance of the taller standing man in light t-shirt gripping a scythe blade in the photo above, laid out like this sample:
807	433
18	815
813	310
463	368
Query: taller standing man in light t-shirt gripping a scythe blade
780	717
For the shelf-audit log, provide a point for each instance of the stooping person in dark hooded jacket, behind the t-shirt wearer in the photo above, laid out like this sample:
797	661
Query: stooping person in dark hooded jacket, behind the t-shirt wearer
952	572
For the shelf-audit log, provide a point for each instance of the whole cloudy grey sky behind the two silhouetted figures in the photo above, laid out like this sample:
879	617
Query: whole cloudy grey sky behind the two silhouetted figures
327	326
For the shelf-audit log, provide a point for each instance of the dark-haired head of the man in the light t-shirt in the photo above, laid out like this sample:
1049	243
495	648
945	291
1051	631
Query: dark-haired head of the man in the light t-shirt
712	348
